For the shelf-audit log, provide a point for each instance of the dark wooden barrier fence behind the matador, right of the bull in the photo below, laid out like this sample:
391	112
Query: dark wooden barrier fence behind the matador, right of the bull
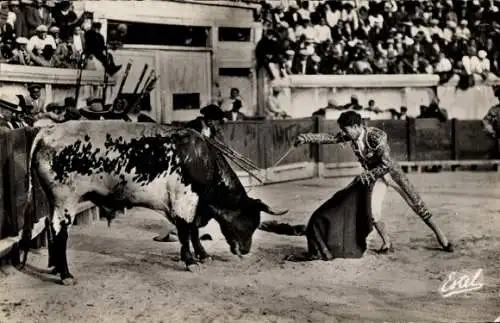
414	142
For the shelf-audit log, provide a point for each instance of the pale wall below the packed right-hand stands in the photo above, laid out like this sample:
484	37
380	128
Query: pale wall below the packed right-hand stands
301	95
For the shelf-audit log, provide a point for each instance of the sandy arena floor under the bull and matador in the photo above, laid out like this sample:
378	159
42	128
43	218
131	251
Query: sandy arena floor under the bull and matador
125	276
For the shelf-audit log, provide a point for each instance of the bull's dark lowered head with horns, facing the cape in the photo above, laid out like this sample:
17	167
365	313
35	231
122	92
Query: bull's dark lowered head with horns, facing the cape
238	226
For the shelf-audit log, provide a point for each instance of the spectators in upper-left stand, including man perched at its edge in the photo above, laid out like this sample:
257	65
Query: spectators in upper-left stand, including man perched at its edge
37	34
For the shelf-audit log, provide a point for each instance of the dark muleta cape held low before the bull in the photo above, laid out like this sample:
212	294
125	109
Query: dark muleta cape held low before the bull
338	228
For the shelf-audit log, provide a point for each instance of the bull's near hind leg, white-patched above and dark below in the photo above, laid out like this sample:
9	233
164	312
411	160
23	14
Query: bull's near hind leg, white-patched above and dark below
59	225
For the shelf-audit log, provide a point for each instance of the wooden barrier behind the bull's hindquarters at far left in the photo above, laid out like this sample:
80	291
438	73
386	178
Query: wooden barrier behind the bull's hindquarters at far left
14	151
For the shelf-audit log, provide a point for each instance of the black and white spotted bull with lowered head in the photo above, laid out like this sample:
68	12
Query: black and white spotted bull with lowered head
116	164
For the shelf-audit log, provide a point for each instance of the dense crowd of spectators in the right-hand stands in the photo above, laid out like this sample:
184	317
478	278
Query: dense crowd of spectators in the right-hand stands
445	37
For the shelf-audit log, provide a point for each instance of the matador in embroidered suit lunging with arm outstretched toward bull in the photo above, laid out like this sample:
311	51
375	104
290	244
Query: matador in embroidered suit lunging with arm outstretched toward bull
371	147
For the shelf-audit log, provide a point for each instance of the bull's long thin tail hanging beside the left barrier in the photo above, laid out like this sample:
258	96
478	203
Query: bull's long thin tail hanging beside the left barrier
29	207
